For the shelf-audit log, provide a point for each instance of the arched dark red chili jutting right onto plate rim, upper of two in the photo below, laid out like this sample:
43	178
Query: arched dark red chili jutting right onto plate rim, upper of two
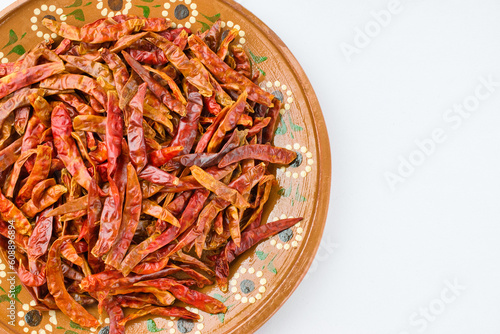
261	152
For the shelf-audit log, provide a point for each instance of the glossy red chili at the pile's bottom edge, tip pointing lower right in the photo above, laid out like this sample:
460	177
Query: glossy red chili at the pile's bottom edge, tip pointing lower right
192	297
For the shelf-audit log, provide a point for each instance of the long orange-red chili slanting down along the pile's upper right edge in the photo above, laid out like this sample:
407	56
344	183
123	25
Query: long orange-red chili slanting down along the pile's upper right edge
225	74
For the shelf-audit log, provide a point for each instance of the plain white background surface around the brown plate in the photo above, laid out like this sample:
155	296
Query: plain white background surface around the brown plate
389	255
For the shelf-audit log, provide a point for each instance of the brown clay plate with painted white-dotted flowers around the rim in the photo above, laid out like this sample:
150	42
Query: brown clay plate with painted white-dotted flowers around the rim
264	277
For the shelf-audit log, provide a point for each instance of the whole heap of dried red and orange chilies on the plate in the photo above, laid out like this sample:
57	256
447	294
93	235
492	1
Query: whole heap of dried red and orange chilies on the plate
134	164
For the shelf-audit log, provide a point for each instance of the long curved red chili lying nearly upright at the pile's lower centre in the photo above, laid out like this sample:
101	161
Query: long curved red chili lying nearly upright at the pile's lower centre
130	220
